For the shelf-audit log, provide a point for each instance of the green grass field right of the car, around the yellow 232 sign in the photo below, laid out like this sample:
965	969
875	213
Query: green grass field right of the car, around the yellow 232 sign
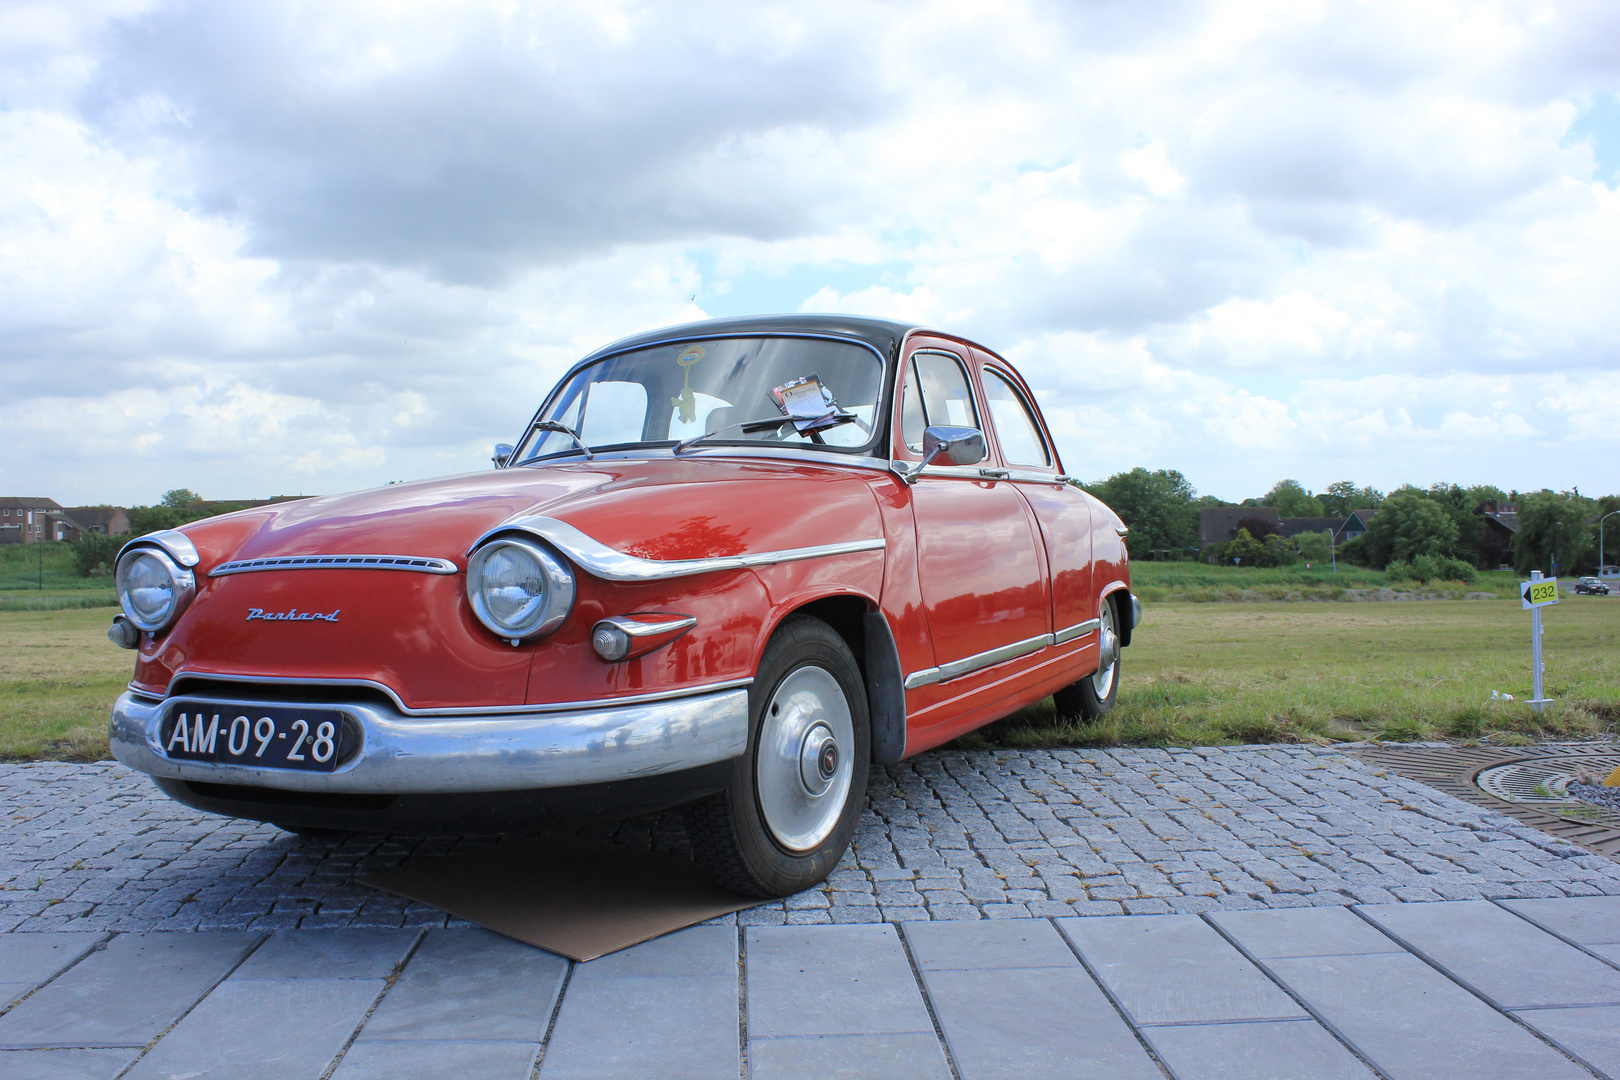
1203	674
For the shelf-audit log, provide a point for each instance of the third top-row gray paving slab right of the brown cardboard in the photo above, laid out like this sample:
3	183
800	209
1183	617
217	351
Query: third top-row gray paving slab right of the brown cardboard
1175	969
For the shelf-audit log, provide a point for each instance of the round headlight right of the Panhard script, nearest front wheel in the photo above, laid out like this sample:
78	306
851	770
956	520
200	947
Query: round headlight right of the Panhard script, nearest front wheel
519	589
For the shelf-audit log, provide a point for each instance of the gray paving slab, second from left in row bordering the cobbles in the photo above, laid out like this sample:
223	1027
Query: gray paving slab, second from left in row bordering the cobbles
126	993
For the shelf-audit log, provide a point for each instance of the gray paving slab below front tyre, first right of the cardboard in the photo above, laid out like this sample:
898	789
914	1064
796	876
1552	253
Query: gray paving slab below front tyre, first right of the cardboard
832	980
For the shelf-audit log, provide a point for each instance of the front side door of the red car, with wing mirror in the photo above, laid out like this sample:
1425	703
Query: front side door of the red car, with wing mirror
981	563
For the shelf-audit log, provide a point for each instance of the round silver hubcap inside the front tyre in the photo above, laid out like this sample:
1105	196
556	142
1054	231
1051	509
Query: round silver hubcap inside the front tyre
803	770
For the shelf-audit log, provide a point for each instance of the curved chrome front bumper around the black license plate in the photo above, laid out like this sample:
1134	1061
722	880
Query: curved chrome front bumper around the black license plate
511	752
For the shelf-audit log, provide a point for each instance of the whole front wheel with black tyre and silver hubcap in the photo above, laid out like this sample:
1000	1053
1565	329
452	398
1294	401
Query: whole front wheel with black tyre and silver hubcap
793	801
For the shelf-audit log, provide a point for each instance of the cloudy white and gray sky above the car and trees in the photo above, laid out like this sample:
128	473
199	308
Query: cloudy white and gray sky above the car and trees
301	249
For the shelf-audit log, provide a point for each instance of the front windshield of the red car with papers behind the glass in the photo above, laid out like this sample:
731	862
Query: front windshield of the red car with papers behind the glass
671	393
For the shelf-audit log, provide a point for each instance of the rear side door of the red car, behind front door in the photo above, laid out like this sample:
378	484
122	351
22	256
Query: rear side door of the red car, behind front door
1062	509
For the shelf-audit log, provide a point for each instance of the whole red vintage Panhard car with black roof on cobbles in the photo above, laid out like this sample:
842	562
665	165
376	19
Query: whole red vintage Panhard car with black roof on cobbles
730	568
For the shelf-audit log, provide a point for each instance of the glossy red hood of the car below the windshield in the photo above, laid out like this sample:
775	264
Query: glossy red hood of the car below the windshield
649	508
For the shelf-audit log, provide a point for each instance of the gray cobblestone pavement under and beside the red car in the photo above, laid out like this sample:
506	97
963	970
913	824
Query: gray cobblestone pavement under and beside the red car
947	836
